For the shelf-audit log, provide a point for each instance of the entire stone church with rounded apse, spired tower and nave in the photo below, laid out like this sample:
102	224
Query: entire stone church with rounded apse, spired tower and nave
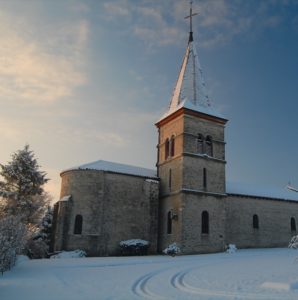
186	199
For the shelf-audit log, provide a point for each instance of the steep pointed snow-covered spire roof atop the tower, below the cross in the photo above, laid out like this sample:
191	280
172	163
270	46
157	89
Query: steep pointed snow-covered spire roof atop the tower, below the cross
190	90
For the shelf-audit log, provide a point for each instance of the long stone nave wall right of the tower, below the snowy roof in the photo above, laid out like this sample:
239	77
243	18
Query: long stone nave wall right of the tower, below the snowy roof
274	221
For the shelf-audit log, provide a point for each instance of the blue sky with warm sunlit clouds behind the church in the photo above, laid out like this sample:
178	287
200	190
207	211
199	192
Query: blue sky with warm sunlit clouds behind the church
83	80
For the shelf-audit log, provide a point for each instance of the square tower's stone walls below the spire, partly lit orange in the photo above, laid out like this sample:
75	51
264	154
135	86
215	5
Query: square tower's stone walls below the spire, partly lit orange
185	193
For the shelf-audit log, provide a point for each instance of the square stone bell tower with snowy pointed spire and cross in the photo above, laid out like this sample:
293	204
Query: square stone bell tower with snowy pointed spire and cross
191	163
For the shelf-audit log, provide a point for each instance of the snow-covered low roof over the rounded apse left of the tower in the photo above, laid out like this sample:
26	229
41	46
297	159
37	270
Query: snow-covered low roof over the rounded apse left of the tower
103	165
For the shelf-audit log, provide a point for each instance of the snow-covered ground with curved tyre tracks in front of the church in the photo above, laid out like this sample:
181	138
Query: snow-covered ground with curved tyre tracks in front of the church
246	274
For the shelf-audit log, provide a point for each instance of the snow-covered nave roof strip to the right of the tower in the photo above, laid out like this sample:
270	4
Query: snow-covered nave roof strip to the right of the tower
260	191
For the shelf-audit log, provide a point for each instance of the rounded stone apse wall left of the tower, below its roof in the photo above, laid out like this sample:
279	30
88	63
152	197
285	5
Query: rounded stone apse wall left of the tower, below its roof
114	207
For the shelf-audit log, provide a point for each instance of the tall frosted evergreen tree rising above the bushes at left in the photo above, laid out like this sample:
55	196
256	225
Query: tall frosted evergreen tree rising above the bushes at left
22	187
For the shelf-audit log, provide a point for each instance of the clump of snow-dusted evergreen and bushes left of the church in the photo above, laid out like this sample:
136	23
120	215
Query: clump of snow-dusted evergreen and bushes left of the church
23	204
